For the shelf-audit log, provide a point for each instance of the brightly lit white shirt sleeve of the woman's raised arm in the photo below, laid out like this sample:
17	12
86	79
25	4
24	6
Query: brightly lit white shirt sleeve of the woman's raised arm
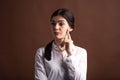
77	65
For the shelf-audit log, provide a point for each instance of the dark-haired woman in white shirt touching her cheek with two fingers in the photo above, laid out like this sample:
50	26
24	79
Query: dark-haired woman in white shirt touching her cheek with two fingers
61	59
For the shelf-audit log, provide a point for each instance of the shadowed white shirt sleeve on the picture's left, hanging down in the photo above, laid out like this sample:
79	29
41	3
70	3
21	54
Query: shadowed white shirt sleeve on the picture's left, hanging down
40	73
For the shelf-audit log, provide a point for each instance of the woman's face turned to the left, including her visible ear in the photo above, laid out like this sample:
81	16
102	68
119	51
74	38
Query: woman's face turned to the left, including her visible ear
59	27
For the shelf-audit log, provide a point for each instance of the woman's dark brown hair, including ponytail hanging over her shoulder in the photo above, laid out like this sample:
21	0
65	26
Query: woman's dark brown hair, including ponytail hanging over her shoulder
70	19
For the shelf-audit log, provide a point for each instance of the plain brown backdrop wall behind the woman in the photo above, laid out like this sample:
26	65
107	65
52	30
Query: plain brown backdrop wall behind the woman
25	27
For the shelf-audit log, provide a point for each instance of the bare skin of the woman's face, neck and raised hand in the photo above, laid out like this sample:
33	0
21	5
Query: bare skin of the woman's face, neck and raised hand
61	33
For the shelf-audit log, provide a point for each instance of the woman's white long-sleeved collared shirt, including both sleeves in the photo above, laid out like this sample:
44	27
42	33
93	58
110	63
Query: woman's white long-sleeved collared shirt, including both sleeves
61	66
